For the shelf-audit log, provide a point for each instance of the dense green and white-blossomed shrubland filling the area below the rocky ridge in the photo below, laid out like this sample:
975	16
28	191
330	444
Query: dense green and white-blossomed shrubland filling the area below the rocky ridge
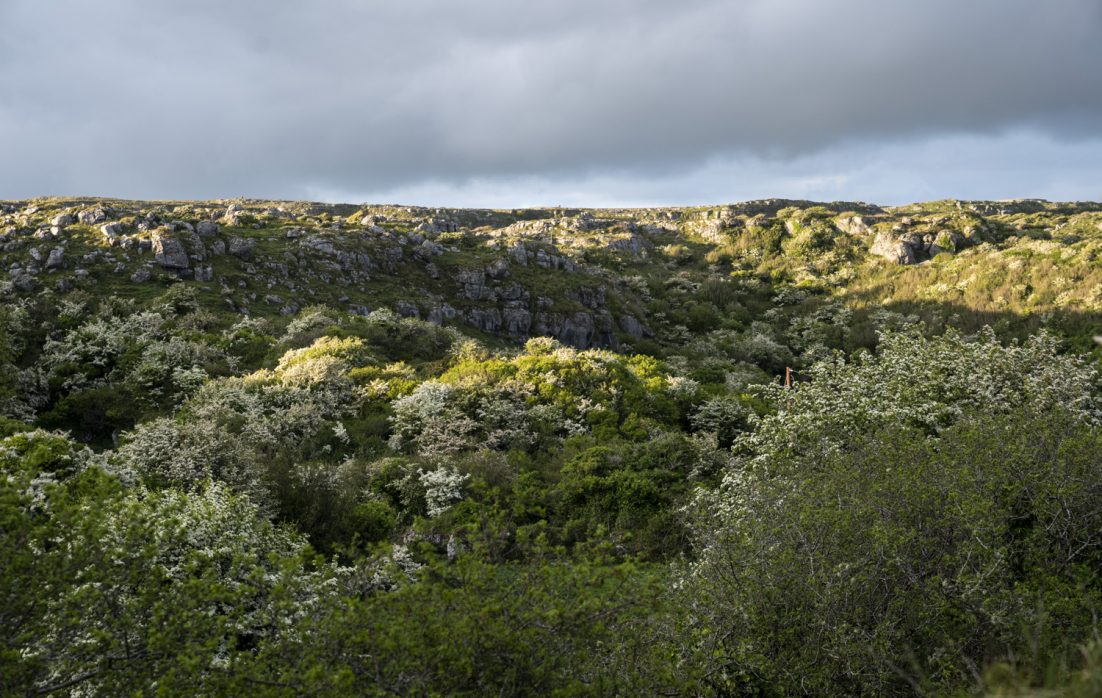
196	501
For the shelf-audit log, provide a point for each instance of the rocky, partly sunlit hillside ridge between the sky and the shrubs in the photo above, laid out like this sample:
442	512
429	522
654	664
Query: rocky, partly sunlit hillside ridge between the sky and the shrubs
588	277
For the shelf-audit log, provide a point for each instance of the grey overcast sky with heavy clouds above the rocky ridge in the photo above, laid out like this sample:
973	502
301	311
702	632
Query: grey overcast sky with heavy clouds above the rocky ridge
500	103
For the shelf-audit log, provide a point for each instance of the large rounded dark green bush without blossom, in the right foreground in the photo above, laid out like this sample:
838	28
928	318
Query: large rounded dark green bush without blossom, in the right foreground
905	562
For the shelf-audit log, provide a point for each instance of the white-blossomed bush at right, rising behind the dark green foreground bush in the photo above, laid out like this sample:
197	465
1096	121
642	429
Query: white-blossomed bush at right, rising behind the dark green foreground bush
925	383
